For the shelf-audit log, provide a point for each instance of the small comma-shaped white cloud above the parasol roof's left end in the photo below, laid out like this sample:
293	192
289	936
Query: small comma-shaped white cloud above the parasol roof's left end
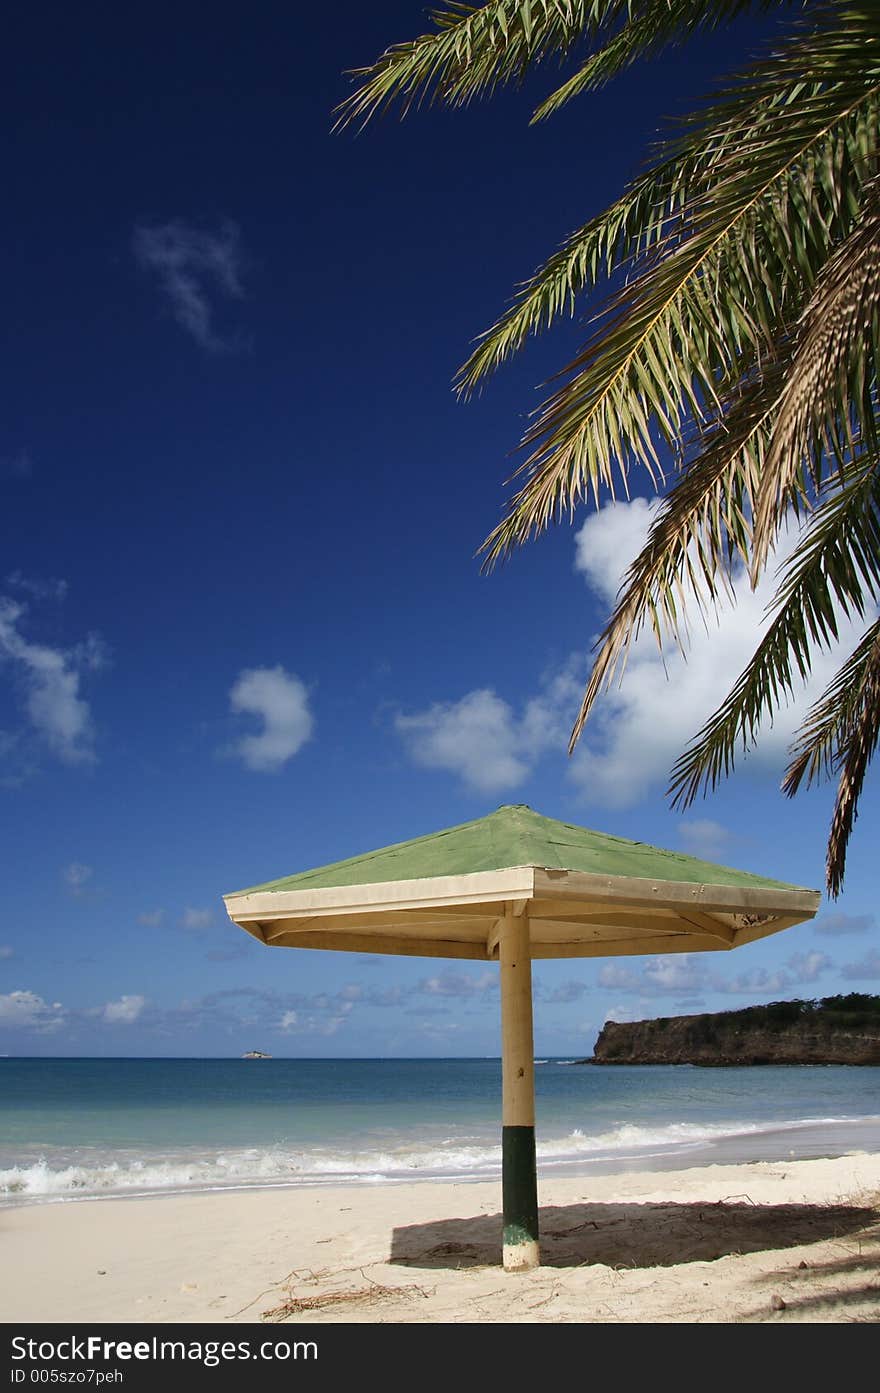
282	701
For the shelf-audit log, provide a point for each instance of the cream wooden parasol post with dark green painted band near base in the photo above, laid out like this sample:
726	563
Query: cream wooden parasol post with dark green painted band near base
519	1171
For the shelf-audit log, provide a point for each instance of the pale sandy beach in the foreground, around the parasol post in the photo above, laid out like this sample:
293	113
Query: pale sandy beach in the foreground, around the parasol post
767	1242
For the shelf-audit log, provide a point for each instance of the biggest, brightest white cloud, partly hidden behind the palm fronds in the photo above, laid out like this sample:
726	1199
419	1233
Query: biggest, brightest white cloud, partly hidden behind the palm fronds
641	726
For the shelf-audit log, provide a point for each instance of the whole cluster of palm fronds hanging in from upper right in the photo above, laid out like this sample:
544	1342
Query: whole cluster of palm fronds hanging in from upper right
741	342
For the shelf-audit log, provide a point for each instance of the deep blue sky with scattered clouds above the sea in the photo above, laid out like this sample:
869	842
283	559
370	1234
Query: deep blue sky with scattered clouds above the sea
242	625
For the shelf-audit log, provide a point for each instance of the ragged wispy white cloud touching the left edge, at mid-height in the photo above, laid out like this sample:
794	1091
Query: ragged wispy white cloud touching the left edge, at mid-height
49	680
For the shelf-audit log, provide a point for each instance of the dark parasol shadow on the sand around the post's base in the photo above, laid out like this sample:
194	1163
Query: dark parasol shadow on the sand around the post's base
631	1235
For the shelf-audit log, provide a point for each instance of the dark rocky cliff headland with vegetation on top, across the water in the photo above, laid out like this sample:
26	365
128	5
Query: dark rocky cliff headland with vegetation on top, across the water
744	1038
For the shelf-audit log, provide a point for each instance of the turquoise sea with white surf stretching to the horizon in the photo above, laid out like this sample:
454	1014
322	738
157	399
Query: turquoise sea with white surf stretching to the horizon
74	1129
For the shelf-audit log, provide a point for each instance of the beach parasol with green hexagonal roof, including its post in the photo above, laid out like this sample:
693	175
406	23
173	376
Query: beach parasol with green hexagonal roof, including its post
508	889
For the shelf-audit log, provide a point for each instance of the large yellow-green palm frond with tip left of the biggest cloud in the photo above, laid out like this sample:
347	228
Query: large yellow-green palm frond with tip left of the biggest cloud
677	332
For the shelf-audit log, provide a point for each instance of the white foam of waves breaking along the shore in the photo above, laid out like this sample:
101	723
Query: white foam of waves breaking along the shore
450	1158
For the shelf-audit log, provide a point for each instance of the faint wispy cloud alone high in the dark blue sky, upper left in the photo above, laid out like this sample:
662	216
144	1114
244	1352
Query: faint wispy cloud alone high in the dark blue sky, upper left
193	267
